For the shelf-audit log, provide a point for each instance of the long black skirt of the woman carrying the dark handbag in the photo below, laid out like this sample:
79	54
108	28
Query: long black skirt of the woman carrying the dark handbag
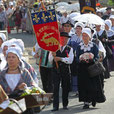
90	89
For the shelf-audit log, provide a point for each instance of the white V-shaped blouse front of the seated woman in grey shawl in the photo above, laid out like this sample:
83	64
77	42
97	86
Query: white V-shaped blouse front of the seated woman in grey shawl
12	80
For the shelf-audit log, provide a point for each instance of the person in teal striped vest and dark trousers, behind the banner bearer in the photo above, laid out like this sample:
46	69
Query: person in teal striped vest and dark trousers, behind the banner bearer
45	67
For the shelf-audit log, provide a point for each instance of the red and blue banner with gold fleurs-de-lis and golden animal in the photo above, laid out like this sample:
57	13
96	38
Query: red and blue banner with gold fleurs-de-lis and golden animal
46	29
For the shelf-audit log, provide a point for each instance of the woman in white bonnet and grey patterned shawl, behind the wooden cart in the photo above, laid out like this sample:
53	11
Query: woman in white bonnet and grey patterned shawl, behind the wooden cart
14	77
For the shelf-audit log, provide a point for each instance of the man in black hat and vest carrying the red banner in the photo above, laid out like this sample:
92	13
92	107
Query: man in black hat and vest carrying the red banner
61	74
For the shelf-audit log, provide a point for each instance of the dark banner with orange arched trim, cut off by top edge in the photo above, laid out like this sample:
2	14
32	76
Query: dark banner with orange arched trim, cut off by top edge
87	6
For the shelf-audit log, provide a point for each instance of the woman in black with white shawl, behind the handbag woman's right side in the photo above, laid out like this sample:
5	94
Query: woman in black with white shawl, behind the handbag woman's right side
102	36
